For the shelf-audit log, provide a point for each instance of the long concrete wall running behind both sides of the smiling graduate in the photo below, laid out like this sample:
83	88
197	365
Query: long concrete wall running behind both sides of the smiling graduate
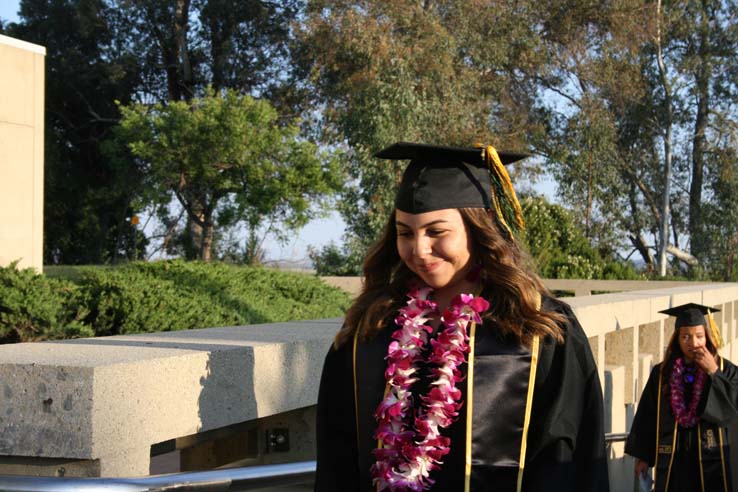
137	404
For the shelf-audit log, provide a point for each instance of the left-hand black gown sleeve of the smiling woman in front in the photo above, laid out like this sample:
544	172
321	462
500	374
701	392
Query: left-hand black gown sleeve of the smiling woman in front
337	459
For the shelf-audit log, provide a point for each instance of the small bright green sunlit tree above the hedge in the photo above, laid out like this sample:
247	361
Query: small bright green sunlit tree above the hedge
227	161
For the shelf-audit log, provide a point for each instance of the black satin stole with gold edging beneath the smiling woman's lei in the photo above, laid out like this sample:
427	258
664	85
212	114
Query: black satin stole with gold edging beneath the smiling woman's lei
500	389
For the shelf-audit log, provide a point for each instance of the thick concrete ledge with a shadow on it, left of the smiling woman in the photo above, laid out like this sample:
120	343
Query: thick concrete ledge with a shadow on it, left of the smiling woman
92	398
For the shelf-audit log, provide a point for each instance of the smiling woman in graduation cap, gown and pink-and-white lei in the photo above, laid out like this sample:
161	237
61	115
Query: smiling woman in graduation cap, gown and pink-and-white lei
499	392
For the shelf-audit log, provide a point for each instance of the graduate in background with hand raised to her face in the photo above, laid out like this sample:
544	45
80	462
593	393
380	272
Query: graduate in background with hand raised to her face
689	400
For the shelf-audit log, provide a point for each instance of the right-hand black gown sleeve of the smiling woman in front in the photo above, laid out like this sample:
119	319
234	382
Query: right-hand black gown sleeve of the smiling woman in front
566	435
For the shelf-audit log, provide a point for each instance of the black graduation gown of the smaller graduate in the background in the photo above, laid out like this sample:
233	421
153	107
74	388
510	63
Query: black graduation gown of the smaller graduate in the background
688	459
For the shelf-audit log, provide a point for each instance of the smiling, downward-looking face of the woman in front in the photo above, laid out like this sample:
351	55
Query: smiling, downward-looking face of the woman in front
435	246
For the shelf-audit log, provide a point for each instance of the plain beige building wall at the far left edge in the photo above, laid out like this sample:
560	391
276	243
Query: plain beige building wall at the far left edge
21	152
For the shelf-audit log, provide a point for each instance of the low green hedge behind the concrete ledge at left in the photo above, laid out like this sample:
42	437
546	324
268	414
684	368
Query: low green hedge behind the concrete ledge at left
159	296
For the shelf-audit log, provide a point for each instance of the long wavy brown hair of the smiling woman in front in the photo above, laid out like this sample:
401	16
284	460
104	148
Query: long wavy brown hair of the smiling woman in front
506	273
